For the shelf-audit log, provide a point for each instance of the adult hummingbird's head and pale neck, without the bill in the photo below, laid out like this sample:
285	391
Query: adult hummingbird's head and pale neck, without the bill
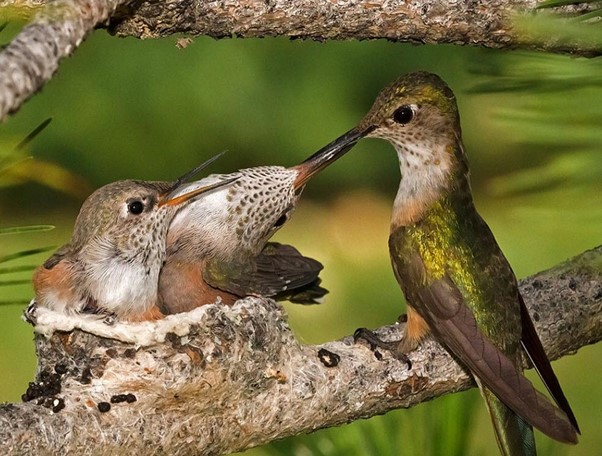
418	115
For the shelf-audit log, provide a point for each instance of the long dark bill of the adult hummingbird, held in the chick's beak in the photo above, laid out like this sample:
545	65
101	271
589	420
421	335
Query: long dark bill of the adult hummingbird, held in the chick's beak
326	155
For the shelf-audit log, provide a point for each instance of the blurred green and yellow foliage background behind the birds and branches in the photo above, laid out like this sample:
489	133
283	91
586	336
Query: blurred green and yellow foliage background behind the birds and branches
124	108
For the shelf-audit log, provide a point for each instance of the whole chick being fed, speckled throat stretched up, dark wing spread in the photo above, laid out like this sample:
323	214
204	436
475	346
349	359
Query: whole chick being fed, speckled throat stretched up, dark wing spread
217	246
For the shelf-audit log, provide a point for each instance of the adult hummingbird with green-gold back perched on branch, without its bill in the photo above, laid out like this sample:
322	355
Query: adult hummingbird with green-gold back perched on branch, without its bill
457	283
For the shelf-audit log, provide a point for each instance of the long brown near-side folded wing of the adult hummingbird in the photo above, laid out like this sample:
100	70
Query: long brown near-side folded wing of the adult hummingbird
455	326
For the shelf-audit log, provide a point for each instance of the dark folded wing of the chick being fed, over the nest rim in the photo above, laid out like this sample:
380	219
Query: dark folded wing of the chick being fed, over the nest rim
279	271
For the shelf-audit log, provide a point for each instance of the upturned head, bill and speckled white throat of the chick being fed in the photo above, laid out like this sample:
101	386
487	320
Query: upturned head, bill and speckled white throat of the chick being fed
239	220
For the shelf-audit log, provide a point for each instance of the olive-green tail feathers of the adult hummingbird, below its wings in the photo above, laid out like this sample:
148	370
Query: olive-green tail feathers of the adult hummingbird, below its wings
513	434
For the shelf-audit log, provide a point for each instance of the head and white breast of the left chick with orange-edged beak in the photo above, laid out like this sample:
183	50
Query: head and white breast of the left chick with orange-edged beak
119	241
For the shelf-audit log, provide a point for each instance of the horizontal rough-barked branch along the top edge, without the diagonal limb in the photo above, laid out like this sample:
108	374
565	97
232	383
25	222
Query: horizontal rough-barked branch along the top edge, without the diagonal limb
480	23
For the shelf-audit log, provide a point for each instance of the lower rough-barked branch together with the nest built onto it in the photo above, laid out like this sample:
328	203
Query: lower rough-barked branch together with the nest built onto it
222	379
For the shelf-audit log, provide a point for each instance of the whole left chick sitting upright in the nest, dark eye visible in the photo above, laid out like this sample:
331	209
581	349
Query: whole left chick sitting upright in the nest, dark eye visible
112	263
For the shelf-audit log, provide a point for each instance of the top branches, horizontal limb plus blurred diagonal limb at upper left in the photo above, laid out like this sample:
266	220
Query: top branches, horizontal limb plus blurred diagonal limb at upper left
59	26
